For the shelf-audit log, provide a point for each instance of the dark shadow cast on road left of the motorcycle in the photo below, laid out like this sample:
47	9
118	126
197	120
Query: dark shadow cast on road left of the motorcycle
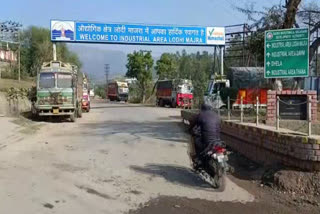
174	174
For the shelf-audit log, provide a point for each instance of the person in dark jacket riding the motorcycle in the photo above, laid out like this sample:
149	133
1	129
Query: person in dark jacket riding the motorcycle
209	123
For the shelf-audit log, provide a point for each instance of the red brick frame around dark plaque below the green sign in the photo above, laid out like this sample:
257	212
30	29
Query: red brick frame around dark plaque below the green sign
272	103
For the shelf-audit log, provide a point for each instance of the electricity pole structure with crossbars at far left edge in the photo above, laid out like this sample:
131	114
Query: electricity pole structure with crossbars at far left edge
8	32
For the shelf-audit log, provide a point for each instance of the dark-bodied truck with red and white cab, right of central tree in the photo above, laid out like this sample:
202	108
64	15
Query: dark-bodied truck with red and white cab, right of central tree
175	92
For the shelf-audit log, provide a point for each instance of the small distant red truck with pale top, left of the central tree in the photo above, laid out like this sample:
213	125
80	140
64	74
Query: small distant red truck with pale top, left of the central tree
118	91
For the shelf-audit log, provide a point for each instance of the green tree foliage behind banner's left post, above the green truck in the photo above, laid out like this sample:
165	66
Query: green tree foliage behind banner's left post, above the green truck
37	48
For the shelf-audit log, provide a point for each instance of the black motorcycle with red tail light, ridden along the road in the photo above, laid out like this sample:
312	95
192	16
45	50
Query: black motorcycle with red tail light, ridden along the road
211	164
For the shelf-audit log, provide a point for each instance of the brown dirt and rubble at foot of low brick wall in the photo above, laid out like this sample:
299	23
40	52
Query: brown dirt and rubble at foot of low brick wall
277	185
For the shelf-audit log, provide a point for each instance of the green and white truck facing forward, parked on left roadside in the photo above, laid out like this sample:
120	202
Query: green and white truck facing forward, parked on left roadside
59	91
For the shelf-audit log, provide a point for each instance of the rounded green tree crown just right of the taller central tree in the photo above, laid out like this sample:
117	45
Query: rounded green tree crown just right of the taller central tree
166	66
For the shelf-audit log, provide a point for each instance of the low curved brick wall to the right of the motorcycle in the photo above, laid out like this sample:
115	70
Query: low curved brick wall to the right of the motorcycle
269	146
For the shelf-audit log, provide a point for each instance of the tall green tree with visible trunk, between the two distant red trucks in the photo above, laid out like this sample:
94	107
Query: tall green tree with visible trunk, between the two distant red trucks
140	66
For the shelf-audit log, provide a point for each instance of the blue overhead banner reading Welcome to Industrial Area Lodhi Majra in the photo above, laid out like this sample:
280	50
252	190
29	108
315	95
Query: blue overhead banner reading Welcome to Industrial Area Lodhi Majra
89	32
